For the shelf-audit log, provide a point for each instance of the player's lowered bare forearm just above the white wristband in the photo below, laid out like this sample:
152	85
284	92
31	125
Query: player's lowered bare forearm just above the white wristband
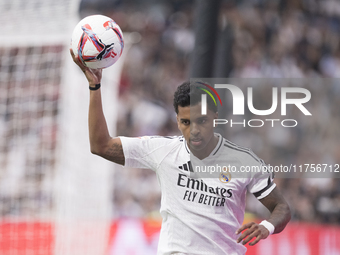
280	217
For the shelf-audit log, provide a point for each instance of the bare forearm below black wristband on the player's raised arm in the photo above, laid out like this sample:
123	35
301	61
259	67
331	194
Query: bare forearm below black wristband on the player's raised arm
98	131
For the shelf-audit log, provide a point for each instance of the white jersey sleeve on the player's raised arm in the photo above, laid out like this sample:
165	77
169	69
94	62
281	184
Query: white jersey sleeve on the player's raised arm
143	152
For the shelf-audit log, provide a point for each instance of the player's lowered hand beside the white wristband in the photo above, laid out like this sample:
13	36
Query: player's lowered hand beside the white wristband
252	230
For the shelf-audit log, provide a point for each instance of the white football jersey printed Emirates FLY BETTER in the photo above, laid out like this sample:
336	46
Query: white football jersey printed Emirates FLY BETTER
201	211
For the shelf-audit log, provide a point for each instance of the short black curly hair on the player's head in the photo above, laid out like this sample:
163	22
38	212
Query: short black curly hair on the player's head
190	92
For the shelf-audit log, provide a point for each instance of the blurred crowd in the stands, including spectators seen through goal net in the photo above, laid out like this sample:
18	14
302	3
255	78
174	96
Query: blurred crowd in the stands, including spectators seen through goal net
270	39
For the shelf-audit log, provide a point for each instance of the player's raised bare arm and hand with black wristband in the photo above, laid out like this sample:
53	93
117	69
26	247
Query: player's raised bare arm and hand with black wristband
101	142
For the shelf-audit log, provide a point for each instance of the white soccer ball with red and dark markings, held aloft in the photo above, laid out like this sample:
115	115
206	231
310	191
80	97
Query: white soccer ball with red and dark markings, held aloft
98	41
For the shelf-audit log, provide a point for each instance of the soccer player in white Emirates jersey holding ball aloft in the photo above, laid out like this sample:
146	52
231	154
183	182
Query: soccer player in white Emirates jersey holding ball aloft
200	215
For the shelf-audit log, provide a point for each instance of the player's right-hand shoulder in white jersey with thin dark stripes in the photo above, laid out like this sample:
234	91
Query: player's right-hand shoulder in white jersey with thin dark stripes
244	154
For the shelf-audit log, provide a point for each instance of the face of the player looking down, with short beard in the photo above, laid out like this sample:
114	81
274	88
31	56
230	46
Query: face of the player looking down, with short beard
197	129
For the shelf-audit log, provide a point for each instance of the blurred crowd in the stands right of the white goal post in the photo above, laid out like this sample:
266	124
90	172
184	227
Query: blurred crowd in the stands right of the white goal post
271	39
